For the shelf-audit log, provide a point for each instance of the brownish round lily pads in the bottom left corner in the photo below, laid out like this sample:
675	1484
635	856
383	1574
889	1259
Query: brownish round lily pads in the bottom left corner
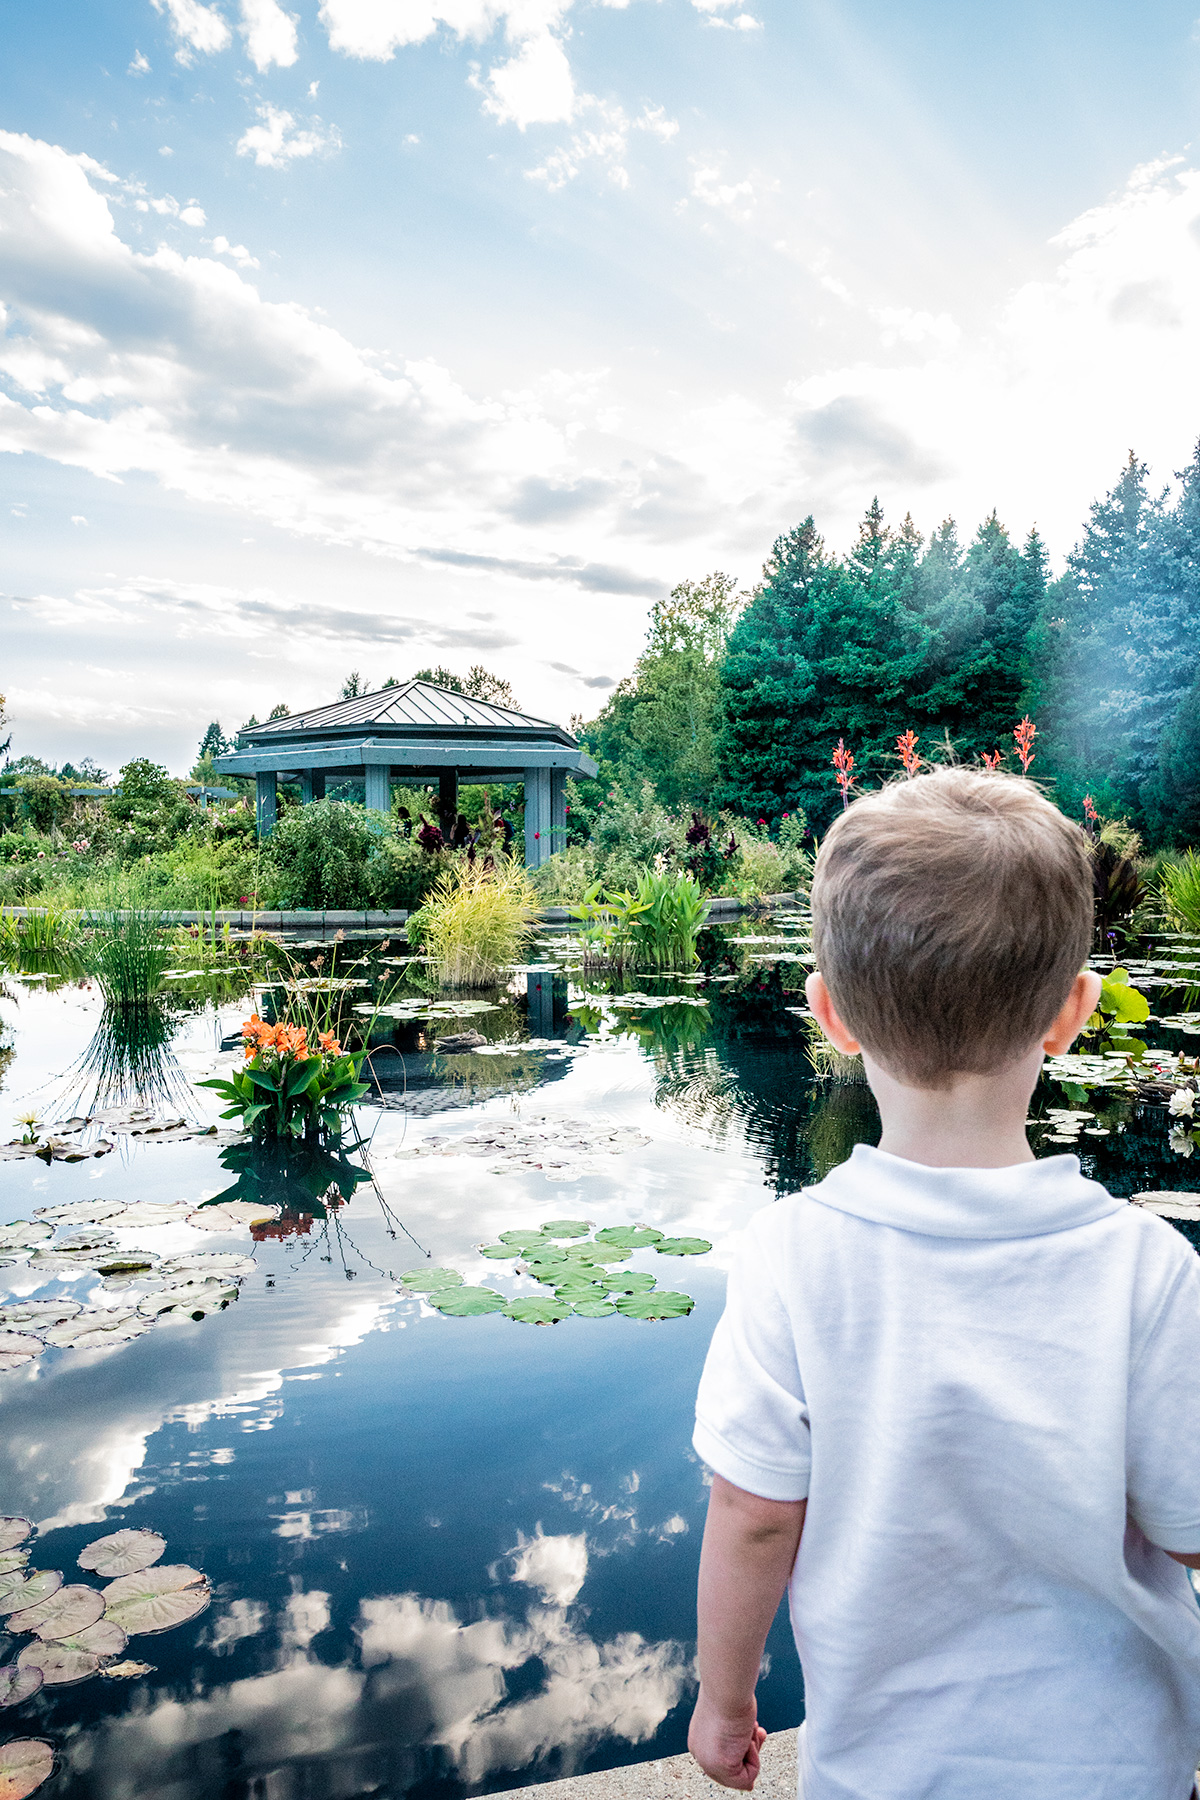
78	1632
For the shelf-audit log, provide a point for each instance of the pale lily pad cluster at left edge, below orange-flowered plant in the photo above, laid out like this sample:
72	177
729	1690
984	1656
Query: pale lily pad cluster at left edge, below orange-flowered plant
80	1237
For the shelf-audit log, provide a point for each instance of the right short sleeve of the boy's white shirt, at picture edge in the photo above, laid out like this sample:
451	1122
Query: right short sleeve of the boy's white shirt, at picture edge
1163	1459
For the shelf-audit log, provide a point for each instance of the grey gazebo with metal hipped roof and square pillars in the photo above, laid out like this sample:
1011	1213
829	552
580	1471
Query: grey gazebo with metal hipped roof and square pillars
416	733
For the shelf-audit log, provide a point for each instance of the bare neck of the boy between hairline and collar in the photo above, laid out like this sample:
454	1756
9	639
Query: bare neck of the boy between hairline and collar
976	1122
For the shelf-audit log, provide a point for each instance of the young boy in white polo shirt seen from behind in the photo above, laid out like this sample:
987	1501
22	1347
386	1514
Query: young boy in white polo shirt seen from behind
954	1399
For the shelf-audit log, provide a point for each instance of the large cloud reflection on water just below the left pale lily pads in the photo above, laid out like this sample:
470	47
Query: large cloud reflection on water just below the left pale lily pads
107	1403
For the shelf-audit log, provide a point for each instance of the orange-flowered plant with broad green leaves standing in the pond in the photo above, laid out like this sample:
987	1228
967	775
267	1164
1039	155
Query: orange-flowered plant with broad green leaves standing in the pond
294	1083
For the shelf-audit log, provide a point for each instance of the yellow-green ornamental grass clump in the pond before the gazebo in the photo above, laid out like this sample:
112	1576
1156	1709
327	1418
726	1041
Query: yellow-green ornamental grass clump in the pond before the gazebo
478	922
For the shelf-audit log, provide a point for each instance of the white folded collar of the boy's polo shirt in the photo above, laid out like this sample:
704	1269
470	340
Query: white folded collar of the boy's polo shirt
1026	1200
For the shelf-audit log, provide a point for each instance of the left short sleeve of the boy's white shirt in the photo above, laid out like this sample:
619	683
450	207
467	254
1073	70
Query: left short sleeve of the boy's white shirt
751	1410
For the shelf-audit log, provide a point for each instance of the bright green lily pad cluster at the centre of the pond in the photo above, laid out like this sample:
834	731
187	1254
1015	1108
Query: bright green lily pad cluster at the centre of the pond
582	1275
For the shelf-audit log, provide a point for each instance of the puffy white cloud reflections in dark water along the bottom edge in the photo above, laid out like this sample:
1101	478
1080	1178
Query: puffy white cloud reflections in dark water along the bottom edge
427	1684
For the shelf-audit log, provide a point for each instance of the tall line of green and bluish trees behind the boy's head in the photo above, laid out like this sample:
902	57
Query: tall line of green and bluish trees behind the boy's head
740	699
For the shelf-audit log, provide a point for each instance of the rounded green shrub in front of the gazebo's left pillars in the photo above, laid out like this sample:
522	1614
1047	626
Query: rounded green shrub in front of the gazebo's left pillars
325	856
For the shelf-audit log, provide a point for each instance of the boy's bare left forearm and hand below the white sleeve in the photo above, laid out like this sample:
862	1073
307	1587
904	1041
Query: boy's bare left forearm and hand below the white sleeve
749	1549
